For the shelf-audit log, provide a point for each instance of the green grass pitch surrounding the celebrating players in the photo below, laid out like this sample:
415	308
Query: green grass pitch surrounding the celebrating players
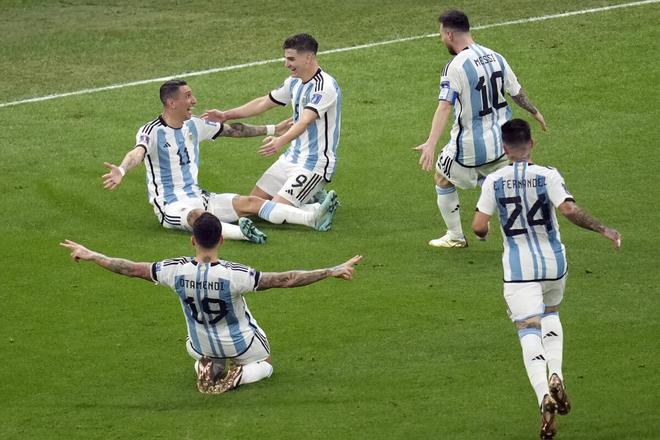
418	345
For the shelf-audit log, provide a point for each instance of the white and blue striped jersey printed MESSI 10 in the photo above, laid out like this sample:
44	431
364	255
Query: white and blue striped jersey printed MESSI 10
474	81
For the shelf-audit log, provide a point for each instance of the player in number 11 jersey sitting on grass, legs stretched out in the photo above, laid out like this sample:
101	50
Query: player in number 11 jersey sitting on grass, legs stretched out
169	147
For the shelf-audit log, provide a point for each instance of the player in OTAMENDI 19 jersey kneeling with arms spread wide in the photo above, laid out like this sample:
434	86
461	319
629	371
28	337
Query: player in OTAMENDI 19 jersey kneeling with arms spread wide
221	328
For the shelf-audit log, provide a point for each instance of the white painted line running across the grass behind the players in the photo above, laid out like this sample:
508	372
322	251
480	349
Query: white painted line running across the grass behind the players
325	52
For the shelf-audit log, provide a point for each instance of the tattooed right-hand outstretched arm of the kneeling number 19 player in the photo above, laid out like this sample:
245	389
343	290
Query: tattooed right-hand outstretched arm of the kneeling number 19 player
297	278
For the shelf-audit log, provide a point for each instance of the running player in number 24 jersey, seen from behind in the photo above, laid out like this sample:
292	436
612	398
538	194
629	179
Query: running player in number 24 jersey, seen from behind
524	196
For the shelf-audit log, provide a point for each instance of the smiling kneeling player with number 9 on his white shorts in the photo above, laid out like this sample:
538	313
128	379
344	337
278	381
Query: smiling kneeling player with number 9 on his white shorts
299	175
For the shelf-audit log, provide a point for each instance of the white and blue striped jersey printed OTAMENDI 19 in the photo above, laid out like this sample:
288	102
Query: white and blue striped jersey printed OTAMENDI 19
211	294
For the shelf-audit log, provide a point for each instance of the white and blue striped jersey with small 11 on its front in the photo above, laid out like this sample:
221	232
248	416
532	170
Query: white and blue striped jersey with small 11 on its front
172	158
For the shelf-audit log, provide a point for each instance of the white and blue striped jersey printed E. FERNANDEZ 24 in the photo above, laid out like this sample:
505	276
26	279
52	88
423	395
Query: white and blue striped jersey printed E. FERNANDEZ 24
524	196
